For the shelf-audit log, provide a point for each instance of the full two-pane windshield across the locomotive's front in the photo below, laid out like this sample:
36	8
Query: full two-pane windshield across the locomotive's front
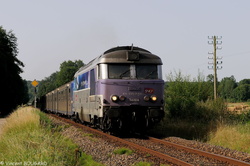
132	71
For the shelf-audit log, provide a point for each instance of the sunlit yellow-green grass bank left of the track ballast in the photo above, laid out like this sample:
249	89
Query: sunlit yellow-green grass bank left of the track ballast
29	136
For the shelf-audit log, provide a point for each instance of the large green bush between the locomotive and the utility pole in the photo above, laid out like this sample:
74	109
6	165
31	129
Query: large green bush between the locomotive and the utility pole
189	99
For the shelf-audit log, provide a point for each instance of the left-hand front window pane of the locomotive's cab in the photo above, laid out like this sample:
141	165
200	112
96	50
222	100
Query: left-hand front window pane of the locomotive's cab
119	71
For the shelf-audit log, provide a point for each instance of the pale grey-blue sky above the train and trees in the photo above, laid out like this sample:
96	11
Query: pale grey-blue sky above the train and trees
50	32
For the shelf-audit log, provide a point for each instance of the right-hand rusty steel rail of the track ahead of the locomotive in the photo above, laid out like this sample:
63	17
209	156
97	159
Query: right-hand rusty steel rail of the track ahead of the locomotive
203	153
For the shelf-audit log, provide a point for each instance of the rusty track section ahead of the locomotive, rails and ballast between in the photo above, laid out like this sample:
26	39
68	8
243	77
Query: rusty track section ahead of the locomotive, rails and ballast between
193	156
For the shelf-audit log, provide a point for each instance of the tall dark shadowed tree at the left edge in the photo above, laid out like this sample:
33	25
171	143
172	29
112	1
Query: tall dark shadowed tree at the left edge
13	87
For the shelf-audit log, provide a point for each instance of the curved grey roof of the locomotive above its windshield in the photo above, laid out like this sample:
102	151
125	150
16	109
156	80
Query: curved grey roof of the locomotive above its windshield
124	54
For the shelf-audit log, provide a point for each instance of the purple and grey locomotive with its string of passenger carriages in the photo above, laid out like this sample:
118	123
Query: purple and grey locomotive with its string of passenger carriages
122	89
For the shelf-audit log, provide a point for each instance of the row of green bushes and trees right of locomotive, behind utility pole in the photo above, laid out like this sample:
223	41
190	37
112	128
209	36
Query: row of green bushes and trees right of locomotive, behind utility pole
192	98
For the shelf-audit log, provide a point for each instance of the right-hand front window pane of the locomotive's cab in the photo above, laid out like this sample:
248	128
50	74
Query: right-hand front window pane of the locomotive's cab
146	72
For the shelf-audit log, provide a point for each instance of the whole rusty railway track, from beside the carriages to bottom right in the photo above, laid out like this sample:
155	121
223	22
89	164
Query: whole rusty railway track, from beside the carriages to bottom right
165	151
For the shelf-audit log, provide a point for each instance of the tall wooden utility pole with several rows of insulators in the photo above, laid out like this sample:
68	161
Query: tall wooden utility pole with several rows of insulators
215	59
